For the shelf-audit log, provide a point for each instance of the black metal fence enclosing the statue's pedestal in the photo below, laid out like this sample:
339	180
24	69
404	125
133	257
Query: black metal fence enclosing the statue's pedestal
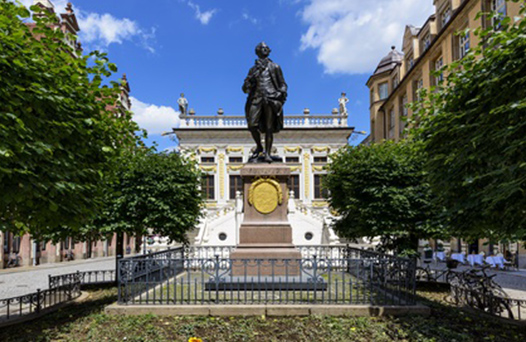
374	281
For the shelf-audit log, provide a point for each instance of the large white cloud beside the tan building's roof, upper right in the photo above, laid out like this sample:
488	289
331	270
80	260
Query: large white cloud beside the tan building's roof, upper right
351	36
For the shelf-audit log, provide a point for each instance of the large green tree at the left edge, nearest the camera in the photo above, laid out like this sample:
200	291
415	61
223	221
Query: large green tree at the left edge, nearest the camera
60	134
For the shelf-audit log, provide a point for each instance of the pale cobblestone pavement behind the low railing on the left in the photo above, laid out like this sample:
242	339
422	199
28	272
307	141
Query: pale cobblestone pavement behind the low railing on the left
20	281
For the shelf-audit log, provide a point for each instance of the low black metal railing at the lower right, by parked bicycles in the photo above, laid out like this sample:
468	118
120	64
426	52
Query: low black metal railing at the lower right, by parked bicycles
509	308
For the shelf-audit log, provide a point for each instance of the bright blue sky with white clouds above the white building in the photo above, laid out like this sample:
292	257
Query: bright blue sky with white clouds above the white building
204	48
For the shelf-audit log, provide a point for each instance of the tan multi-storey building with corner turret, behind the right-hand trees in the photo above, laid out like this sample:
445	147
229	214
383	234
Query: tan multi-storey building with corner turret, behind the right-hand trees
400	75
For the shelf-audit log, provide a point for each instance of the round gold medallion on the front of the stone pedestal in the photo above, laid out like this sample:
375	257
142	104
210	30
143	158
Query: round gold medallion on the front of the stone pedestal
265	195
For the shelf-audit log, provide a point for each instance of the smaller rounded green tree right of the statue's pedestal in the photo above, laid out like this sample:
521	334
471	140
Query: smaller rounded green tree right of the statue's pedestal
381	190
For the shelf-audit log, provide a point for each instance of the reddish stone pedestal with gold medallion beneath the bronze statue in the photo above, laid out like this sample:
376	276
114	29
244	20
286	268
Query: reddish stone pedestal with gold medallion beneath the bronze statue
265	232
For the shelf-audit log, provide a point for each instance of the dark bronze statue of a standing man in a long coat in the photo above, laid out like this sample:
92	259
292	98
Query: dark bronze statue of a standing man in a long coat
267	92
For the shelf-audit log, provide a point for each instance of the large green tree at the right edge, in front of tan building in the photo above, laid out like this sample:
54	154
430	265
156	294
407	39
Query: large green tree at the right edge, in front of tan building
473	130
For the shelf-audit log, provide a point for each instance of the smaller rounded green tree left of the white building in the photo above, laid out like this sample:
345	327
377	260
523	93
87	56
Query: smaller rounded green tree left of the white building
152	190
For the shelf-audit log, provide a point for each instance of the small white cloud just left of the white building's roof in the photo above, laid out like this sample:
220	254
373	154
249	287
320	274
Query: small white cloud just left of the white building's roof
155	119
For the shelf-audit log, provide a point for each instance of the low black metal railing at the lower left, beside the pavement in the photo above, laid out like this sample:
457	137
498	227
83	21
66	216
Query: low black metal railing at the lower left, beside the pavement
34	303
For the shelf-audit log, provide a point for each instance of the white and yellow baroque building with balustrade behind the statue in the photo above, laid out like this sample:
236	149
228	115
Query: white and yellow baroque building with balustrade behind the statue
222	144
